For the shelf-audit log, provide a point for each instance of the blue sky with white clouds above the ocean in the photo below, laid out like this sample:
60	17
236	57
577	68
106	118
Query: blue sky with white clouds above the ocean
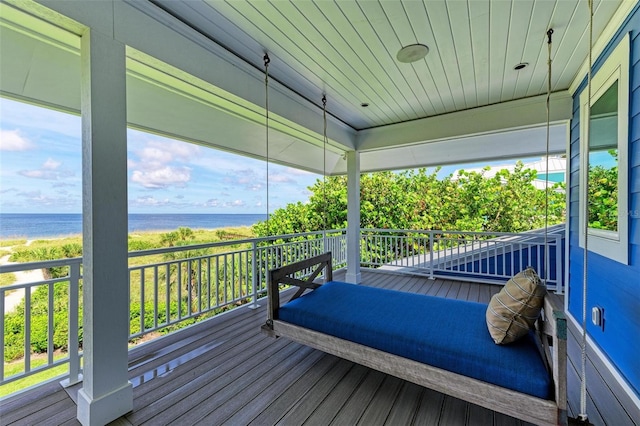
41	171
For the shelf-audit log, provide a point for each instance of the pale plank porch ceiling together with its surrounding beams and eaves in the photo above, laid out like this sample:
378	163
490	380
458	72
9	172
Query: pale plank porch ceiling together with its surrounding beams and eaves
438	110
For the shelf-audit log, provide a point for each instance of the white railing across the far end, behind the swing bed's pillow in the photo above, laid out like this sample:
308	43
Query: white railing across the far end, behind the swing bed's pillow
477	256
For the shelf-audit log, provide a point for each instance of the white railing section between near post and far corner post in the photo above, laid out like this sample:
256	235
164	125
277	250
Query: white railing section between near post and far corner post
199	280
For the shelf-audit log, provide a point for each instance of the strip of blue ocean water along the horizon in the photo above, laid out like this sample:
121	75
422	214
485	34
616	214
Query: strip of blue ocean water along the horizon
16	225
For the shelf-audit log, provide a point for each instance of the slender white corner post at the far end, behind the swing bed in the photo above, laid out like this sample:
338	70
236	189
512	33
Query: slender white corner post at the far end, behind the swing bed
353	218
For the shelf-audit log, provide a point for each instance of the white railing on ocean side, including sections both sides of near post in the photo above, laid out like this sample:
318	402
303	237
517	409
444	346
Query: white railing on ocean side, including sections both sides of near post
167	287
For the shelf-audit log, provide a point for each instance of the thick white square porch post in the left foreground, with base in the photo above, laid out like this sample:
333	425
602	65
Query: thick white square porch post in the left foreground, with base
106	393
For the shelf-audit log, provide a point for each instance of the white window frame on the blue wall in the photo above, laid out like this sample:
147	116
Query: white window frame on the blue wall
611	244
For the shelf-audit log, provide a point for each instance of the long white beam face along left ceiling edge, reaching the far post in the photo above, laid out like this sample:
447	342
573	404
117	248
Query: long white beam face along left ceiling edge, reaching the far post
150	30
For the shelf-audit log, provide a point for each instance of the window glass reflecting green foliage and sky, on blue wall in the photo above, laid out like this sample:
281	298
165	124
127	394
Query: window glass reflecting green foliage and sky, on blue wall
603	161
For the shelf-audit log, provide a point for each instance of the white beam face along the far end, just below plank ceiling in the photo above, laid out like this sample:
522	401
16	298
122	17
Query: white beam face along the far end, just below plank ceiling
518	114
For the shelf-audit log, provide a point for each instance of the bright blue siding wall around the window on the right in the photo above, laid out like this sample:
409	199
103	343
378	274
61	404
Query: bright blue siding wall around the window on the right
611	285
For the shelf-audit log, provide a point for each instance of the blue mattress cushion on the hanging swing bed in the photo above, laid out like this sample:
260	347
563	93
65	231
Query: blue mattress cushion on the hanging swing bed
448	334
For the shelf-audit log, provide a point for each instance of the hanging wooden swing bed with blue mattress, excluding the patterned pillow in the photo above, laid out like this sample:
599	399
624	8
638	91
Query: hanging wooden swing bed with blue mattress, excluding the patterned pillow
438	343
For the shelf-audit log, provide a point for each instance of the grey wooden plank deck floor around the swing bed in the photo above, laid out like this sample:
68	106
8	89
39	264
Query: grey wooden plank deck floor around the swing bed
226	372
